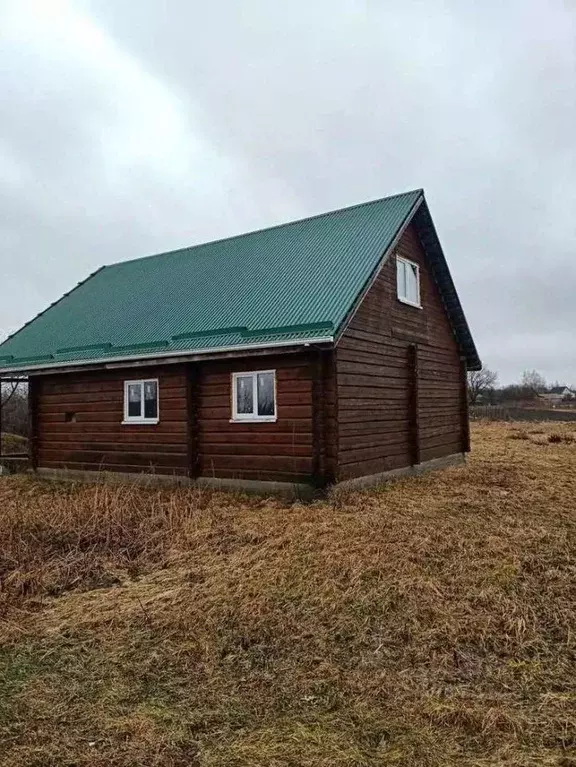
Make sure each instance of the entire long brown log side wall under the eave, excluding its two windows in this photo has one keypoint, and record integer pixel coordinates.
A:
(194, 436)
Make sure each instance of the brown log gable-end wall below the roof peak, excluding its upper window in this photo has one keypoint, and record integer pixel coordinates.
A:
(377, 425)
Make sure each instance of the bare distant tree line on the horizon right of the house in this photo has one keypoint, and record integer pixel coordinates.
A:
(483, 387)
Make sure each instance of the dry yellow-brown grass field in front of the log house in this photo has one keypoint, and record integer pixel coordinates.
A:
(429, 623)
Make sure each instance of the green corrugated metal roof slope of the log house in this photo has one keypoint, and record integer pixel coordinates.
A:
(285, 284)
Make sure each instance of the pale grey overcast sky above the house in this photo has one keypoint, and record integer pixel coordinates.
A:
(128, 128)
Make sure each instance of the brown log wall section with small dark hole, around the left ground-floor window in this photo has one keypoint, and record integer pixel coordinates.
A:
(97, 439)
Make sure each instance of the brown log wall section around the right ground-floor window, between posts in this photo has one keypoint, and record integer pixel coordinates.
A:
(281, 451)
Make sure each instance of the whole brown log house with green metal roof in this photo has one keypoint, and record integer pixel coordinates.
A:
(325, 350)
